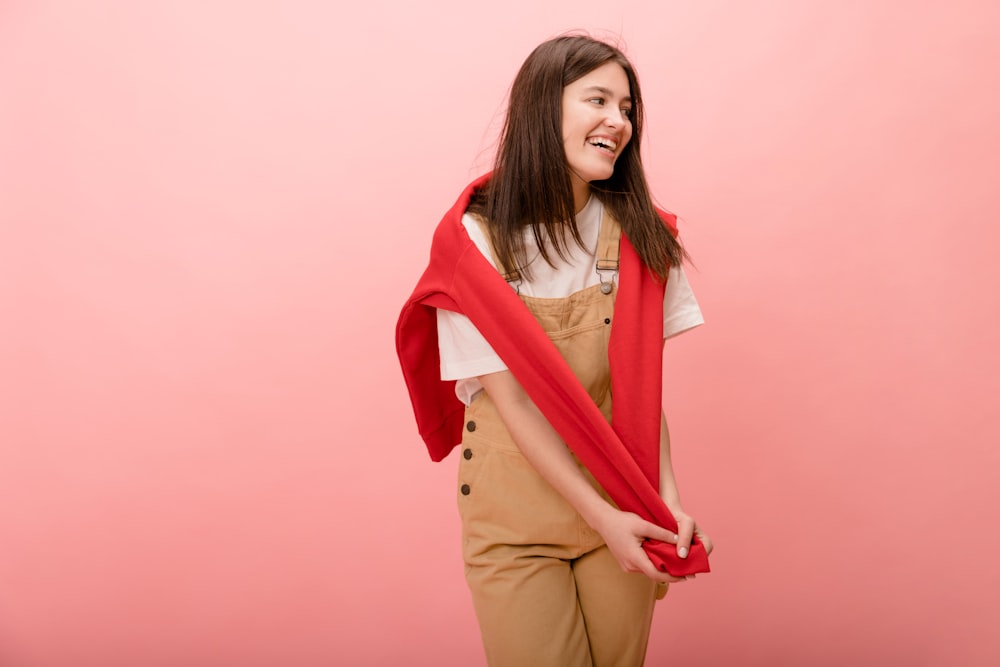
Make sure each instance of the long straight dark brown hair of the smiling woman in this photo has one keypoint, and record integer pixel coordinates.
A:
(531, 186)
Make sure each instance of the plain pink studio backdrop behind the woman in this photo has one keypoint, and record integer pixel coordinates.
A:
(210, 214)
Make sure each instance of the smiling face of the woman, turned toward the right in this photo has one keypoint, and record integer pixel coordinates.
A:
(597, 126)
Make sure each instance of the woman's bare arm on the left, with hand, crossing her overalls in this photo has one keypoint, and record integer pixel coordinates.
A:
(542, 446)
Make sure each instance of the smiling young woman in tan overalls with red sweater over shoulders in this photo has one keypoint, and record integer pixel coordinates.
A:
(552, 284)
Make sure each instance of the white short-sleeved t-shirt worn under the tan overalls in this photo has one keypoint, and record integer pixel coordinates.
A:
(465, 353)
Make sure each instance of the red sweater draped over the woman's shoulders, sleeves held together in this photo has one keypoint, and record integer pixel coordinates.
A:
(622, 456)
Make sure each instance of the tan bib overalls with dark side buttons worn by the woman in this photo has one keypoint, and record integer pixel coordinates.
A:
(546, 589)
